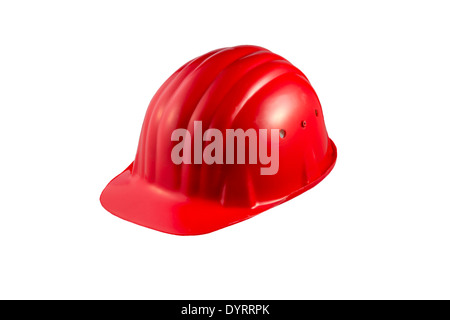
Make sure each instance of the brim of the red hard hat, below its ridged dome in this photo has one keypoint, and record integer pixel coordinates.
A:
(134, 199)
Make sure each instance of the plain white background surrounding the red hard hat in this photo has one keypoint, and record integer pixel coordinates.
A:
(75, 81)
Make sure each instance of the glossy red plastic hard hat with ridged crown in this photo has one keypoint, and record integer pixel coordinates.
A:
(243, 87)
